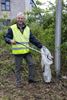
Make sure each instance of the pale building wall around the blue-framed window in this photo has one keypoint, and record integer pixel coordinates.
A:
(15, 7)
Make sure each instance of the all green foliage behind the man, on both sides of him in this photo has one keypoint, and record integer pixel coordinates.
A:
(42, 24)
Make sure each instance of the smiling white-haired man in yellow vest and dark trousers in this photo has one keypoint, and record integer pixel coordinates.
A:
(21, 33)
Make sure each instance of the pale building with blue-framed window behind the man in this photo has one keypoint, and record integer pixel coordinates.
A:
(9, 8)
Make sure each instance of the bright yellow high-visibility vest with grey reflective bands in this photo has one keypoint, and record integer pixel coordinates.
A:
(21, 38)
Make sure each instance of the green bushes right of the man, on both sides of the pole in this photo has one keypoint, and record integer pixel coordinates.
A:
(42, 23)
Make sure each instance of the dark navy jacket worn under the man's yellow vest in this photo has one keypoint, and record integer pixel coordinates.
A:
(32, 39)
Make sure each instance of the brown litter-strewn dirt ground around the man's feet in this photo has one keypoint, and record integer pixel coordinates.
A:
(56, 90)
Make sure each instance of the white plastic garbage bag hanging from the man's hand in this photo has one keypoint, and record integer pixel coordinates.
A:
(46, 61)
